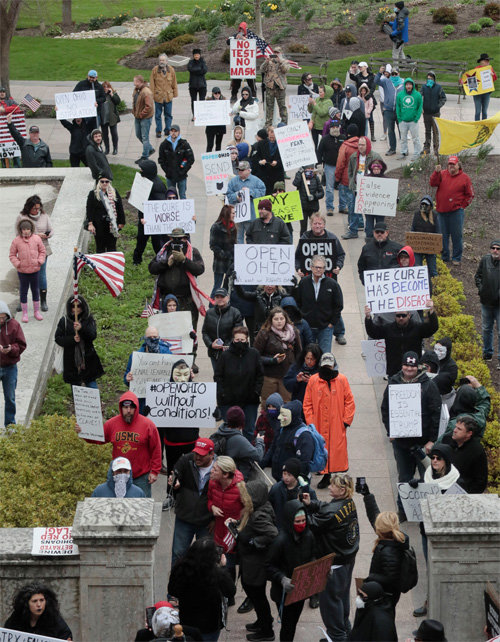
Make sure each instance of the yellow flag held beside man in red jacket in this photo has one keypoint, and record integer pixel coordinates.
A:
(454, 136)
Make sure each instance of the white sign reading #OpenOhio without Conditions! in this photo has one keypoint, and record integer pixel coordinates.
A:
(182, 405)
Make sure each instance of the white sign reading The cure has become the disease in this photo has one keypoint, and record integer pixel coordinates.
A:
(397, 289)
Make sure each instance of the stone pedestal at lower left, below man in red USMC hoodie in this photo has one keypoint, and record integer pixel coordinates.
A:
(116, 539)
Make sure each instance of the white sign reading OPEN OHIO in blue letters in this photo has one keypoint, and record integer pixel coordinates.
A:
(264, 264)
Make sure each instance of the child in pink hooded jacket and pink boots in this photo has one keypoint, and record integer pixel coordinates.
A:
(27, 254)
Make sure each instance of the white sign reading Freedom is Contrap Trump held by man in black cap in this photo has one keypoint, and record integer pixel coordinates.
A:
(405, 410)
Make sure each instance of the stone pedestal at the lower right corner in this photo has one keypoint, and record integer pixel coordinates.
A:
(464, 536)
